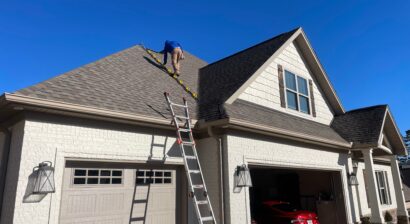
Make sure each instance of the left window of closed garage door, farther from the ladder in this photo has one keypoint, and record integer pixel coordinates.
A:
(97, 176)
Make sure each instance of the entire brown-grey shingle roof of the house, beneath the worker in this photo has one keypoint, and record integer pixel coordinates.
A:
(130, 81)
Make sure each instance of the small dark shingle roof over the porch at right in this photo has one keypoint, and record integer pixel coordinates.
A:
(362, 126)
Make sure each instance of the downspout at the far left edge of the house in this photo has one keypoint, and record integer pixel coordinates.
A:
(4, 163)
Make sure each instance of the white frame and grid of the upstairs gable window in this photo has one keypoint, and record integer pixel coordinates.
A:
(298, 94)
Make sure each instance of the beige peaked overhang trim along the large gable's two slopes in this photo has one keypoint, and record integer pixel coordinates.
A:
(314, 65)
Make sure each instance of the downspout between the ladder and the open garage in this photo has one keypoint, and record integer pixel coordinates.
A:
(221, 166)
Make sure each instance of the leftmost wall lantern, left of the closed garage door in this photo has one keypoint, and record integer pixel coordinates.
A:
(44, 180)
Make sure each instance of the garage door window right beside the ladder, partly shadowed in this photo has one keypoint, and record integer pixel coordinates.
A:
(154, 177)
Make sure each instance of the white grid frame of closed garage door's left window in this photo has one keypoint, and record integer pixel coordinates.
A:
(99, 176)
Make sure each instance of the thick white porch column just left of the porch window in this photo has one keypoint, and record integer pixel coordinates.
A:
(376, 216)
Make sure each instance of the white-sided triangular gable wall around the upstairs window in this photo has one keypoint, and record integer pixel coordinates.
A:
(265, 89)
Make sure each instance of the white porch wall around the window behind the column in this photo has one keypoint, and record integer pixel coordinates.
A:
(361, 189)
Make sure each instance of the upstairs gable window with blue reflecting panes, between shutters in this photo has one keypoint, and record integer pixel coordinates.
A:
(297, 93)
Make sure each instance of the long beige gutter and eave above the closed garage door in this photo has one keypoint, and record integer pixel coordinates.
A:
(17, 103)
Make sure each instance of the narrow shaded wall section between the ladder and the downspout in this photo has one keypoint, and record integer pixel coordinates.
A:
(208, 153)
